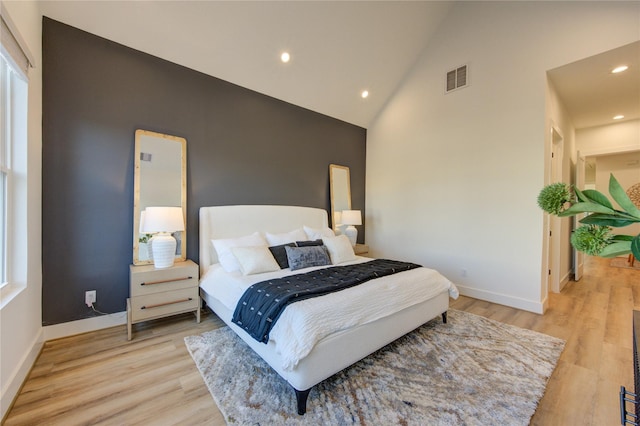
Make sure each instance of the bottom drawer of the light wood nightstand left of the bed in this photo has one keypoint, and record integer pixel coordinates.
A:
(165, 303)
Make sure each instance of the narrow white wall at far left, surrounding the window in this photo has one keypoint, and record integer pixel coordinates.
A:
(21, 317)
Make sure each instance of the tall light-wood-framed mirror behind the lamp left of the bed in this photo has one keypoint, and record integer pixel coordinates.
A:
(160, 180)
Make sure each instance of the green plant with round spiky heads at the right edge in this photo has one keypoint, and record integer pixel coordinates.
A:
(594, 236)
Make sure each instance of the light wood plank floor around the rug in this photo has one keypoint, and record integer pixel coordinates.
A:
(101, 378)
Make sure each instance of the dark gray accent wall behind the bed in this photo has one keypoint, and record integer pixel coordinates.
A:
(242, 147)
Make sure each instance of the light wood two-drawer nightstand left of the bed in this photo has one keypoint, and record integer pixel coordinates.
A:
(156, 293)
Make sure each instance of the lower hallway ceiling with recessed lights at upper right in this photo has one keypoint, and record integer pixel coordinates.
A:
(593, 95)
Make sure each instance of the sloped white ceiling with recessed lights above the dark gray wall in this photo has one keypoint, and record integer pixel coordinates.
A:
(338, 48)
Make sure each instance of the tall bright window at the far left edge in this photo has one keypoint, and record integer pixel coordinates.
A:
(13, 141)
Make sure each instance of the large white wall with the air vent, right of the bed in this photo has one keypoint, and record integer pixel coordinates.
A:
(452, 179)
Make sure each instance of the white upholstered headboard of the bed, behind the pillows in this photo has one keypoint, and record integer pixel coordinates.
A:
(236, 221)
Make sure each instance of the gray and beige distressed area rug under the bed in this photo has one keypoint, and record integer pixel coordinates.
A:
(469, 371)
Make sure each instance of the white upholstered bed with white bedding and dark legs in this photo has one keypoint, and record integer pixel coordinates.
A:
(334, 349)
